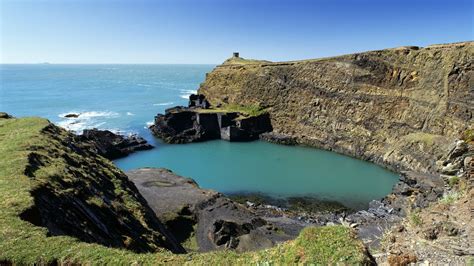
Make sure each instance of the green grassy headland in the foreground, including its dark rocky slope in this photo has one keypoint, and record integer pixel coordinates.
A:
(62, 204)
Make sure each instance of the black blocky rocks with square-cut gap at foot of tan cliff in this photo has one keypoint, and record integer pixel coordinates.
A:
(199, 123)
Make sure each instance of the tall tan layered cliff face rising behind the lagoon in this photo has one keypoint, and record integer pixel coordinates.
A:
(400, 107)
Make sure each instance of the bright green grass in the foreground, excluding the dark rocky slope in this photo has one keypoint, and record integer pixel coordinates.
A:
(24, 243)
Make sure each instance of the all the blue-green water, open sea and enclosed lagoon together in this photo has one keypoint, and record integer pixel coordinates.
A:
(125, 98)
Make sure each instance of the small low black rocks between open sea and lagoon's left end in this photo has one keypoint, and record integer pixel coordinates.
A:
(113, 146)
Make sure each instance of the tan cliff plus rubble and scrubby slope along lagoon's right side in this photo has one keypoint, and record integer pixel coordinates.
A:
(409, 109)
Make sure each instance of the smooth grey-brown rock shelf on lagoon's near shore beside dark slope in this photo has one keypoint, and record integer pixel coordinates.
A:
(205, 219)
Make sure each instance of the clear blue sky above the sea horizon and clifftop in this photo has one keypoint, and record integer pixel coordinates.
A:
(208, 31)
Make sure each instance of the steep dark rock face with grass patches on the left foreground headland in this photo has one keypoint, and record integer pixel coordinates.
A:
(88, 198)
